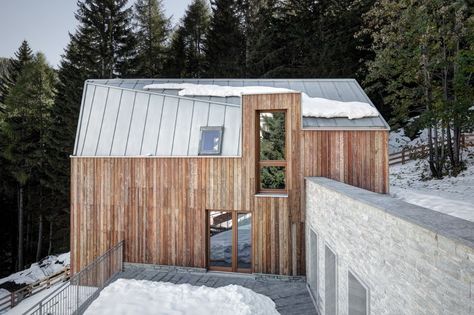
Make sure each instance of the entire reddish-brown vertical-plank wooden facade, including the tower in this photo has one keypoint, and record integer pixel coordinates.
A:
(158, 204)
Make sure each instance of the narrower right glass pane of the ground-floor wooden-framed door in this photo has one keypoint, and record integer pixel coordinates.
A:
(244, 240)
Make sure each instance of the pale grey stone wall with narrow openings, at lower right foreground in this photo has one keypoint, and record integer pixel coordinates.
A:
(411, 259)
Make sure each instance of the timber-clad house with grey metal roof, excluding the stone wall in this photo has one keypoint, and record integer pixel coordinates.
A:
(210, 173)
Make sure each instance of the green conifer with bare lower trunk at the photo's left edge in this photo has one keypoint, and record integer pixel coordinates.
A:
(25, 125)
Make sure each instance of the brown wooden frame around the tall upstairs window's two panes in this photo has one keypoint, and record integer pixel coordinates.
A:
(268, 163)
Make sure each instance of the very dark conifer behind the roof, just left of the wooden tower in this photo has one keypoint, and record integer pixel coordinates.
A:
(225, 41)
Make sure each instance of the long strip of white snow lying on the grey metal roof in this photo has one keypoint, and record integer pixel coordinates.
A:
(311, 106)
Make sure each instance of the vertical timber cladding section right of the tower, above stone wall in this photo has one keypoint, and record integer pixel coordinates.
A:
(358, 158)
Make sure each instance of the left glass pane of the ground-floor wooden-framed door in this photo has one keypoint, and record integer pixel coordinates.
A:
(220, 224)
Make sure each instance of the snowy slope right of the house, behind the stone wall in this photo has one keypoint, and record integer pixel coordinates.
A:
(450, 195)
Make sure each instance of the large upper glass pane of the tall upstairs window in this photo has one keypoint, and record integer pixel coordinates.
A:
(272, 136)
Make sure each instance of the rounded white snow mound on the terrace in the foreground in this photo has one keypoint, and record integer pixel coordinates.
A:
(147, 297)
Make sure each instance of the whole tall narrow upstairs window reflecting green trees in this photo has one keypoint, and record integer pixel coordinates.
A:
(271, 151)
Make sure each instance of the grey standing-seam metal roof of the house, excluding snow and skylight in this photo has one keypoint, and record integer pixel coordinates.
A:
(119, 118)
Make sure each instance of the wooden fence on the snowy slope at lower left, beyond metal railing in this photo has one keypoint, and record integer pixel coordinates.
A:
(9, 301)
